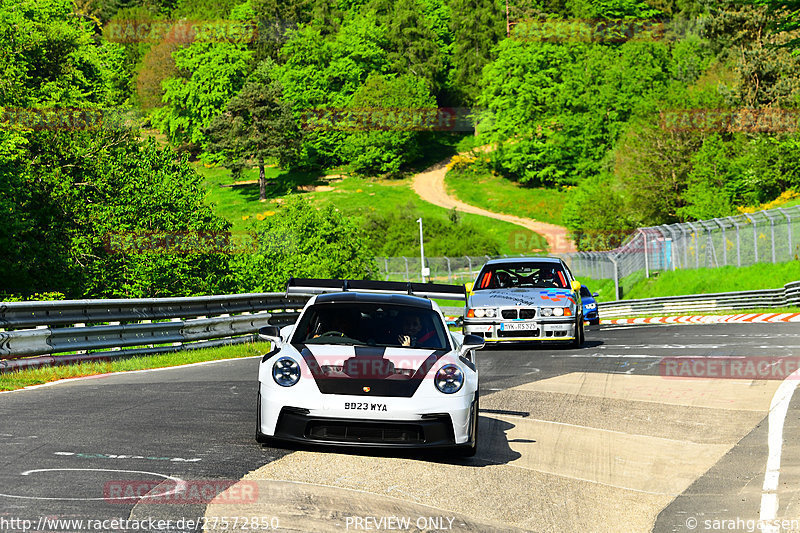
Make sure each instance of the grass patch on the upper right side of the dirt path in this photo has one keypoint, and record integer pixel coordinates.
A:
(500, 195)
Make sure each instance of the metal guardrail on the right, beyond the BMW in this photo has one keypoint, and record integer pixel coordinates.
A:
(789, 295)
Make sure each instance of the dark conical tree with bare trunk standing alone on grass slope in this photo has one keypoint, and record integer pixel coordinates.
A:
(256, 124)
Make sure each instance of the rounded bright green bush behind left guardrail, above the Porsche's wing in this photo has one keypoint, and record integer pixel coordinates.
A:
(303, 241)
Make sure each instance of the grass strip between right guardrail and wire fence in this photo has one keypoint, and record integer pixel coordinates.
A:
(699, 281)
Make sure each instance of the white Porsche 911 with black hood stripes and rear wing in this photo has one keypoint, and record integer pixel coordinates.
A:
(369, 364)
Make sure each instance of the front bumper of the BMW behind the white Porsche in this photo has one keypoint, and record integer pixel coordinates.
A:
(537, 330)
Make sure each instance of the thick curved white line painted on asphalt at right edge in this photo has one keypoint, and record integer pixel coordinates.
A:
(777, 416)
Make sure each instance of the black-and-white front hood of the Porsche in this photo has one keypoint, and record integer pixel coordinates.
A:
(368, 370)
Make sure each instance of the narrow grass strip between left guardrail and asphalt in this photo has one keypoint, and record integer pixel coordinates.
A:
(37, 376)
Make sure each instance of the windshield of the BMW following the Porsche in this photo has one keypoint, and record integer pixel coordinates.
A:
(521, 275)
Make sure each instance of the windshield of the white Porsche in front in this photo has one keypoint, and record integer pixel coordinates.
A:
(371, 324)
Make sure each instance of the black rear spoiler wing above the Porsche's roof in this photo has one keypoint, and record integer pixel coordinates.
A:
(424, 290)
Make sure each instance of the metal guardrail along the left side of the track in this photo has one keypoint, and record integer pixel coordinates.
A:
(116, 326)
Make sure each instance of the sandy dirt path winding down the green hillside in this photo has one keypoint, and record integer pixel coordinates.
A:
(429, 185)
